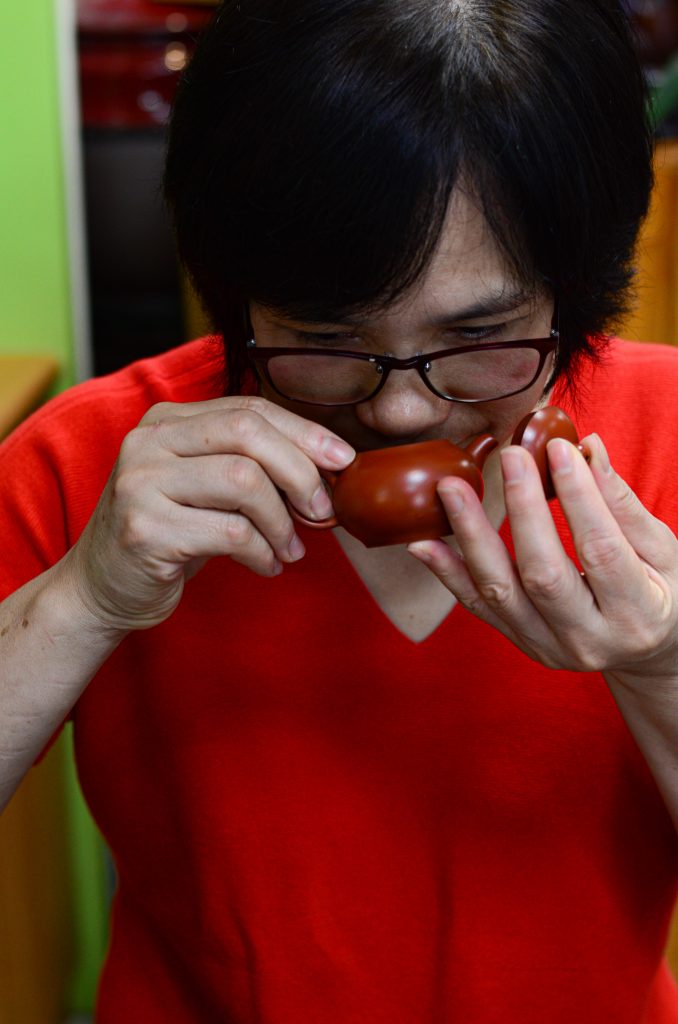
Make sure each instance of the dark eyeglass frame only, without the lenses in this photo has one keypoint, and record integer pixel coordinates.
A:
(386, 364)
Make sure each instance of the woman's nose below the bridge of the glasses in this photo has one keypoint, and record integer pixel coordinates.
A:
(404, 408)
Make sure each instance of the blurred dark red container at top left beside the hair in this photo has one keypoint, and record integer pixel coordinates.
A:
(132, 54)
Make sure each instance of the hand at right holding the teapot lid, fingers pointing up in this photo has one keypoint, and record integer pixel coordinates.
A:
(620, 618)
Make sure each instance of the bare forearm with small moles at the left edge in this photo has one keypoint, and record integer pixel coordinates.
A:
(51, 648)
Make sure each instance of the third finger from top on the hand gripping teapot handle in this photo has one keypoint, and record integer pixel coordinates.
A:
(234, 484)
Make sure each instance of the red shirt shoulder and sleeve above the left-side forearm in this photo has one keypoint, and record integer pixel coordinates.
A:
(55, 466)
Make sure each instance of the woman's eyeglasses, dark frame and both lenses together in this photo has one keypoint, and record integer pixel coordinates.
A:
(484, 372)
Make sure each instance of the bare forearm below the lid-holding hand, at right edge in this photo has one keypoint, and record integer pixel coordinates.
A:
(650, 708)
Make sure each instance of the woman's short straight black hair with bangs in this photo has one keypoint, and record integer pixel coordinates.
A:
(315, 145)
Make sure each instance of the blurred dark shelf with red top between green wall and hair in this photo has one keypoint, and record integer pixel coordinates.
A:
(131, 57)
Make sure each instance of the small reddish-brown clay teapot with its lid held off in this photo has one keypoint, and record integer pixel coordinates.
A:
(389, 496)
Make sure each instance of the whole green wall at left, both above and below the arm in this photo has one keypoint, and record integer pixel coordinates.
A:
(36, 316)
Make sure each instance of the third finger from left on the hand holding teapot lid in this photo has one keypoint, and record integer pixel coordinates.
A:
(548, 576)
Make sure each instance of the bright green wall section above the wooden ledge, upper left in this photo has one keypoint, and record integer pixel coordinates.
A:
(35, 292)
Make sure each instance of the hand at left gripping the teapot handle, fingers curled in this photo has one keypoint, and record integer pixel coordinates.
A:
(194, 482)
